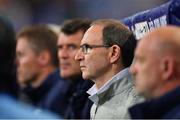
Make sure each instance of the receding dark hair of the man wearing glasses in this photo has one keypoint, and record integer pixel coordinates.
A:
(115, 33)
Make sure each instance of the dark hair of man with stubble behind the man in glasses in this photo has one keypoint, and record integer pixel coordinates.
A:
(74, 25)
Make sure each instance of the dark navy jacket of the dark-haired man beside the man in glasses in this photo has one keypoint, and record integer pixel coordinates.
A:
(72, 99)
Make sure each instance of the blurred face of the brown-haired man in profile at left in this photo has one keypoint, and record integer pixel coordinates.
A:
(27, 62)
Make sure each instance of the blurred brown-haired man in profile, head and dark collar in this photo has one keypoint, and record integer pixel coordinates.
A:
(37, 62)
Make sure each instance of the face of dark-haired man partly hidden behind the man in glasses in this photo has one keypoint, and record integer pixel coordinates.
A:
(68, 46)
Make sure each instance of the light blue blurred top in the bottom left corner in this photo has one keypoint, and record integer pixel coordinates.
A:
(12, 109)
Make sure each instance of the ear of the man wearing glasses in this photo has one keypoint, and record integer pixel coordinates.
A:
(115, 53)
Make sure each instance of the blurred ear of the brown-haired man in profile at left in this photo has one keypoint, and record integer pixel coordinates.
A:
(44, 58)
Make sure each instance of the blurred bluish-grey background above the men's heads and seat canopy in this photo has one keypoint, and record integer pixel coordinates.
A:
(23, 12)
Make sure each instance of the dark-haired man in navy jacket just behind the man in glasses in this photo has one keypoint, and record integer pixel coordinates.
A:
(73, 100)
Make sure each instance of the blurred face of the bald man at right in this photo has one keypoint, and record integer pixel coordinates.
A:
(146, 68)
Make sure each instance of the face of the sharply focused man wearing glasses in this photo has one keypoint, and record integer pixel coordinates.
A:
(95, 63)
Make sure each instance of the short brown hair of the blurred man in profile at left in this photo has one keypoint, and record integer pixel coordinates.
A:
(41, 38)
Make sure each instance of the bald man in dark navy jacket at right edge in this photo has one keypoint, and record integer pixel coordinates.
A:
(157, 74)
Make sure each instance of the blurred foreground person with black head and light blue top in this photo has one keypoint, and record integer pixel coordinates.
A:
(10, 108)
